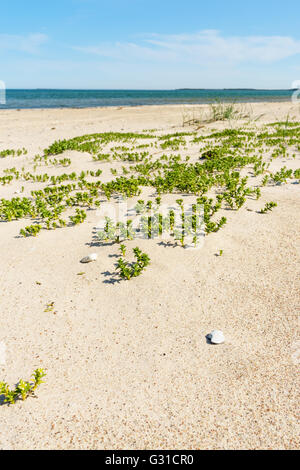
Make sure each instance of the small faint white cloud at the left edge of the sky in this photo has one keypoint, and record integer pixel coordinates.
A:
(30, 43)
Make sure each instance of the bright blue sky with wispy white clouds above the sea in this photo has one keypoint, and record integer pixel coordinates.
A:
(150, 44)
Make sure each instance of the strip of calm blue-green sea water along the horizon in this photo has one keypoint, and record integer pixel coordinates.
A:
(18, 99)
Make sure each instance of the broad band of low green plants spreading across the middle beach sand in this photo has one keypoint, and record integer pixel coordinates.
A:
(228, 159)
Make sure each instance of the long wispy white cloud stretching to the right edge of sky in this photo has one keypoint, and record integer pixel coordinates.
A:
(204, 47)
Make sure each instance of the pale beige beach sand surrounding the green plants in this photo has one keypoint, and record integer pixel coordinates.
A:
(128, 364)
